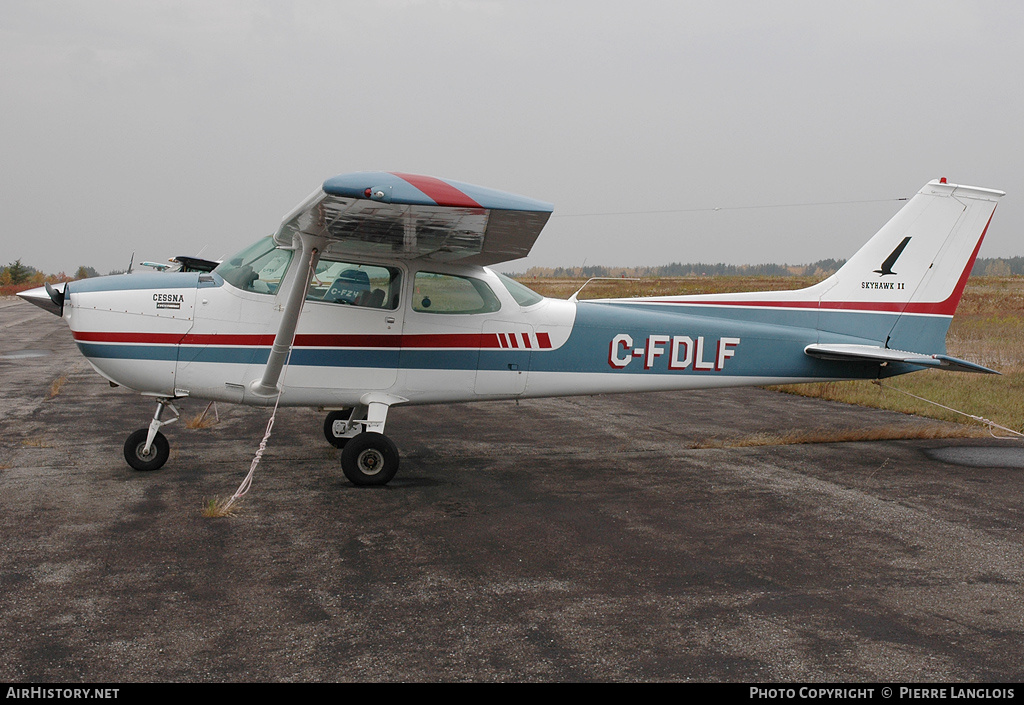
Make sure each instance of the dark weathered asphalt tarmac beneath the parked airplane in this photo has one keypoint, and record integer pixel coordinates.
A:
(578, 540)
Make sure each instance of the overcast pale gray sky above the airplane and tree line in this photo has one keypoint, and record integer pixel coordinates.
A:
(183, 128)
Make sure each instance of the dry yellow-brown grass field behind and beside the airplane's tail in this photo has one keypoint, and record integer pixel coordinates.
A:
(989, 329)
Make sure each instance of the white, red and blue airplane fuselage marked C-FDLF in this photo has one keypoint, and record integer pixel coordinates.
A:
(425, 341)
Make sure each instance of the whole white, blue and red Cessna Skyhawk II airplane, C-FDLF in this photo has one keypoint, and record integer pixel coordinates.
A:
(375, 293)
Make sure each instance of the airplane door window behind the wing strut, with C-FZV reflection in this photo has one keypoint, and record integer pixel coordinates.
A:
(369, 286)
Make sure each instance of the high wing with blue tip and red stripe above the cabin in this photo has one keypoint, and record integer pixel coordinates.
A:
(411, 217)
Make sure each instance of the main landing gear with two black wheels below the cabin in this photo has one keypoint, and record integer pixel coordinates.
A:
(368, 459)
